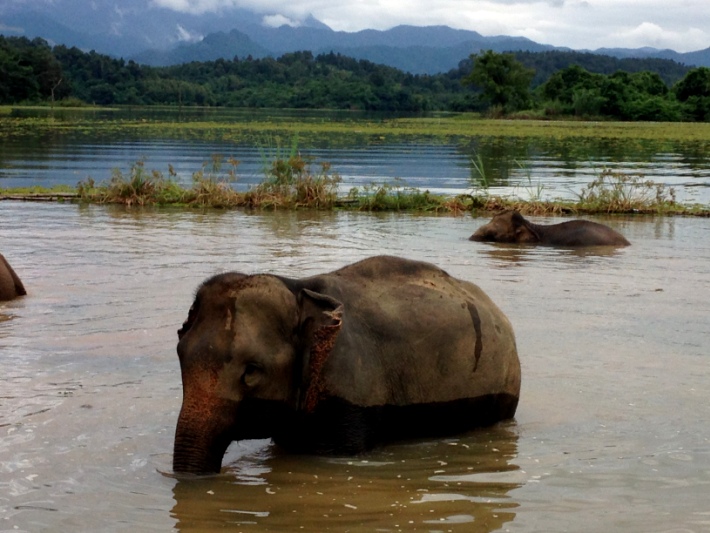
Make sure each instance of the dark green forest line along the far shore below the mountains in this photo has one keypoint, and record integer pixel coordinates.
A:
(545, 84)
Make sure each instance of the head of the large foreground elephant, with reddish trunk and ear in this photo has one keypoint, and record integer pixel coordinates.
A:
(250, 352)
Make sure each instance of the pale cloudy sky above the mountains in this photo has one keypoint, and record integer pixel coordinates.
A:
(681, 25)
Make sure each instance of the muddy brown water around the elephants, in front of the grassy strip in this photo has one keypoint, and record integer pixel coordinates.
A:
(612, 432)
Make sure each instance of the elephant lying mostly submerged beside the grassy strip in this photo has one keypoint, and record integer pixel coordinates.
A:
(511, 227)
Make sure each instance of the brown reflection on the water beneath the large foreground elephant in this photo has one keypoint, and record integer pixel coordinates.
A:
(460, 484)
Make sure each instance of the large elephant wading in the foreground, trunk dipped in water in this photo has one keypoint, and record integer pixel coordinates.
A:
(383, 349)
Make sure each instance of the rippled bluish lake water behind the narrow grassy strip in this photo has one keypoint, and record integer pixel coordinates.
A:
(528, 168)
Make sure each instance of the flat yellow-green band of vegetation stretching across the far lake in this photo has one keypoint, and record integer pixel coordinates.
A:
(444, 126)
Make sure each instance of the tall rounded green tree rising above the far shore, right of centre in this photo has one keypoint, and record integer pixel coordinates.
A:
(504, 80)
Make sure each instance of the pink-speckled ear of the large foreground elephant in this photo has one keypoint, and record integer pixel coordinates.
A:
(320, 321)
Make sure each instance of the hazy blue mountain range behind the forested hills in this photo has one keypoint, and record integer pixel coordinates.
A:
(151, 35)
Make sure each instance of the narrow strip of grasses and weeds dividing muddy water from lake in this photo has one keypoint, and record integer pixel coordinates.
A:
(293, 183)
